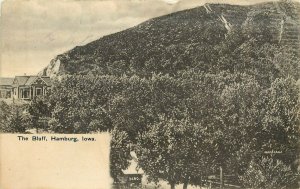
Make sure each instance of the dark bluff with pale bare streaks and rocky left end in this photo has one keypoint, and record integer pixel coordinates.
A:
(198, 38)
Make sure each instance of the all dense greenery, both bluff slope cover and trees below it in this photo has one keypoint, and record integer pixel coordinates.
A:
(191, 96)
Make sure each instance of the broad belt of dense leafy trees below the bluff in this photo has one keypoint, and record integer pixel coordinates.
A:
(220, 119)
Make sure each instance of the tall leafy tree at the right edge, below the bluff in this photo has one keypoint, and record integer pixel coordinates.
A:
(280, 108)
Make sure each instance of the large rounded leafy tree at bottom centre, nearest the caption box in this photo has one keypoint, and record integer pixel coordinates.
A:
(173, 150)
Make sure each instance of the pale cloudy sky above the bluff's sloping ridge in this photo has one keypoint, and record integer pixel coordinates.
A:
(32, 32)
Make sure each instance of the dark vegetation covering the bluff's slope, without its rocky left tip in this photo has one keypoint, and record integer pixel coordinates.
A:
(194, 39)
